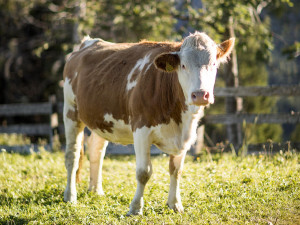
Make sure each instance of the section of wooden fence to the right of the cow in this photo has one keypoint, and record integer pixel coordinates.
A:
(240, 118)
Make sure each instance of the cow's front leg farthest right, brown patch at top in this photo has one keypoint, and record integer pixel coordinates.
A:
(175, 169)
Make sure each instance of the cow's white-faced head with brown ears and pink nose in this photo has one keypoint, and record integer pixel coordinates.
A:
(196, 64)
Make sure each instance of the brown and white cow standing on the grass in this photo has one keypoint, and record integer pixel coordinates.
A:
(142, 93)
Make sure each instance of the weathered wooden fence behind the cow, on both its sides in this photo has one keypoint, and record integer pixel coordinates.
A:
(53, 111)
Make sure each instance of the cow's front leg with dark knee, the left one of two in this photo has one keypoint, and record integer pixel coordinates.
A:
(143, 169)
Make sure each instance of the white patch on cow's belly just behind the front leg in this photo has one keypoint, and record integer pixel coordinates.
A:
(121, 132)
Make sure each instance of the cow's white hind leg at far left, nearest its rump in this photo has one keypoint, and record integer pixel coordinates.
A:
(74, 143)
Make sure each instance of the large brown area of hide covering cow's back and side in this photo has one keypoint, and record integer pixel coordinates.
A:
(100, 85)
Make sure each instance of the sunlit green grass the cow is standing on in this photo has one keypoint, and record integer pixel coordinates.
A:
(215, 190)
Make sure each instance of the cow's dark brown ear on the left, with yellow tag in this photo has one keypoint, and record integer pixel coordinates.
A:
(167, 62)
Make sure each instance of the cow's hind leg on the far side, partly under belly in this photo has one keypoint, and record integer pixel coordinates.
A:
(96, 146)
